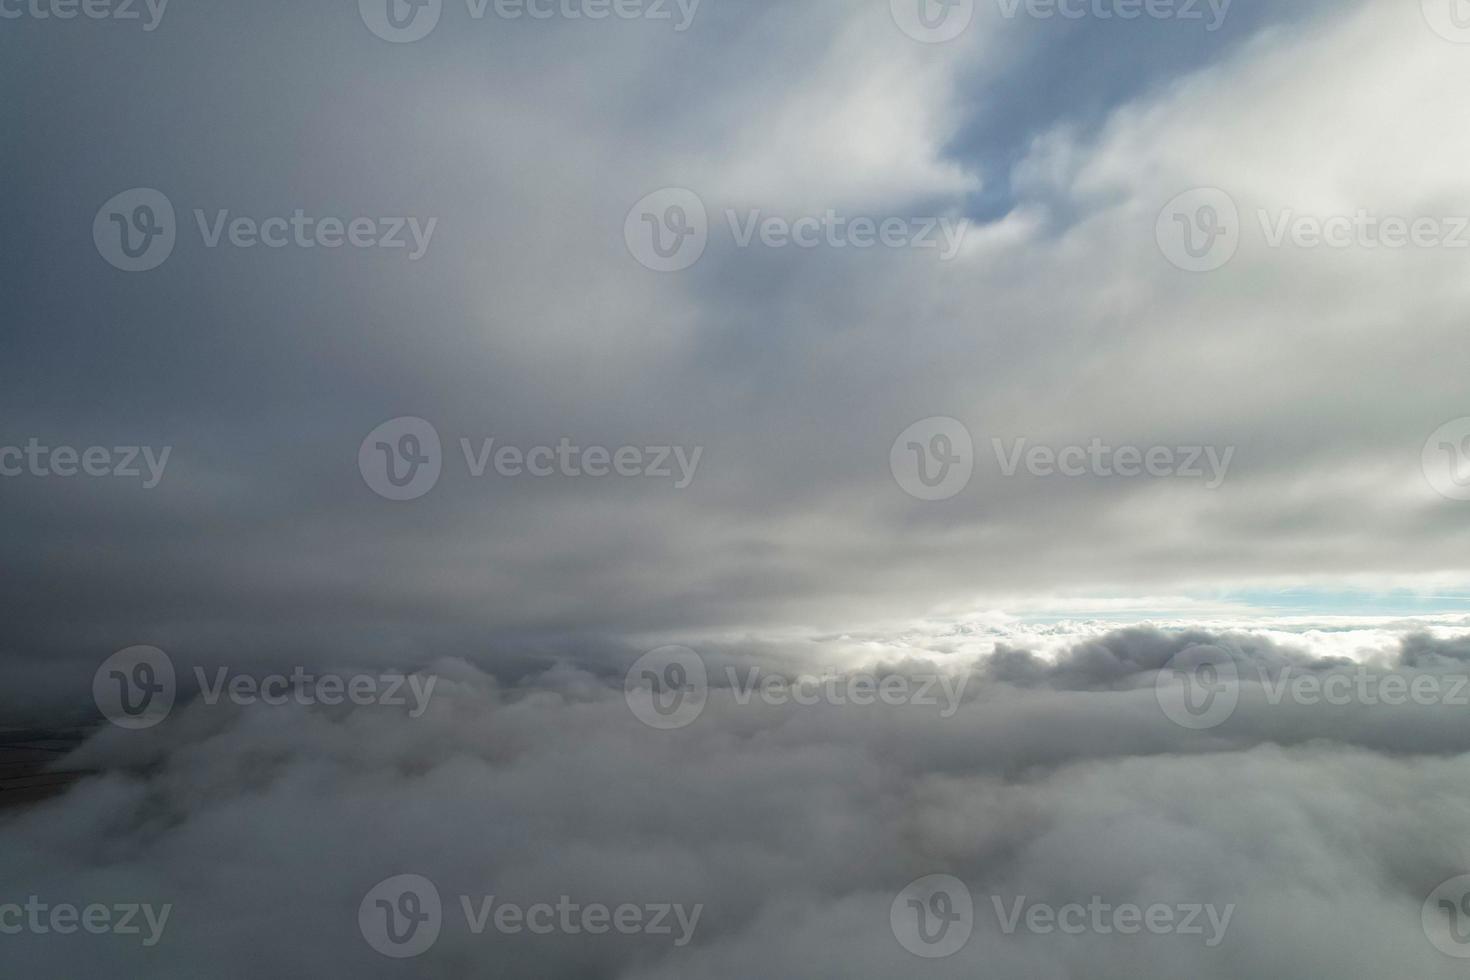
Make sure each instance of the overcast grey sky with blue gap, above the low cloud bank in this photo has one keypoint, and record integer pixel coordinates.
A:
(527, 320)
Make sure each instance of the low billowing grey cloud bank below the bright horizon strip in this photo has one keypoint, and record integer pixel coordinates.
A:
(1322, 828)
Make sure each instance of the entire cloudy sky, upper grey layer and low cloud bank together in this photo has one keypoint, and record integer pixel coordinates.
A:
(831, 336)
